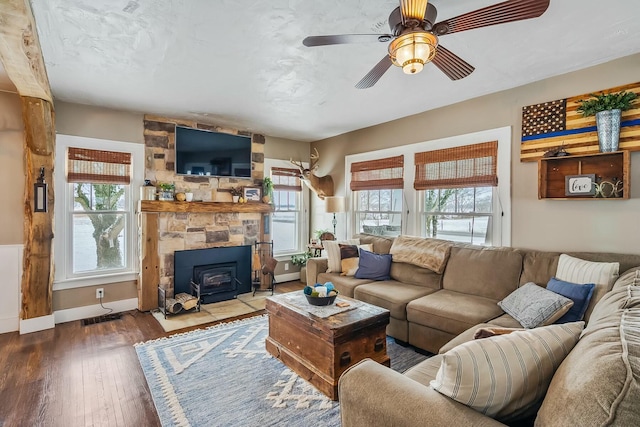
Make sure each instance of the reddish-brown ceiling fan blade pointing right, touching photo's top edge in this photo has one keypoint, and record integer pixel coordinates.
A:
(508, 11)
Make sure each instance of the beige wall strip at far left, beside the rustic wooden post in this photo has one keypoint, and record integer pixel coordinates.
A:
(11, 169)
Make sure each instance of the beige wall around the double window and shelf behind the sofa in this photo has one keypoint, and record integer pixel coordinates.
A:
(603, 225)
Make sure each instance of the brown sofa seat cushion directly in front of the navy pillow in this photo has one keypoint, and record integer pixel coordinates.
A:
(391, 295)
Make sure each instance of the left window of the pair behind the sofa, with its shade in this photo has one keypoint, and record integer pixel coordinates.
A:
(377, 188)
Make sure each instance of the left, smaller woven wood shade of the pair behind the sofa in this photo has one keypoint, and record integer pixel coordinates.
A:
(378, 174)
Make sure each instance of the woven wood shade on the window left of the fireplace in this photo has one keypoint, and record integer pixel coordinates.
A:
(97, 166)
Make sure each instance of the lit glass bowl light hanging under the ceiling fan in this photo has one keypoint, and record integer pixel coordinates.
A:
(412, 50)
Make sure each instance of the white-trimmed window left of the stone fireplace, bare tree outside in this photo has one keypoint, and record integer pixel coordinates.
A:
(95, 211)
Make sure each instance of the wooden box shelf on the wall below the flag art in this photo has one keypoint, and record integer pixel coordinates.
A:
(611, 167)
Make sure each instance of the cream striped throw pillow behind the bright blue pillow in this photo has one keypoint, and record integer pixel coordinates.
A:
(576, 270)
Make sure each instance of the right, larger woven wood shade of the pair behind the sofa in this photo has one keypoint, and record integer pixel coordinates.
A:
(465, 166)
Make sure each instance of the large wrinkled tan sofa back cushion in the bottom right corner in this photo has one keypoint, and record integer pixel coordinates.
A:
(598, 382)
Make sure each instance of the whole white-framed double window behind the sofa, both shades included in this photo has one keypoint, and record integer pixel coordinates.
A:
(457, 197)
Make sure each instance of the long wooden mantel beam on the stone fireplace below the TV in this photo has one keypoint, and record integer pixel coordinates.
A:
(203, 207)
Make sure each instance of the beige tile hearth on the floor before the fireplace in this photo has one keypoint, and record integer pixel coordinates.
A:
(243, 304)
